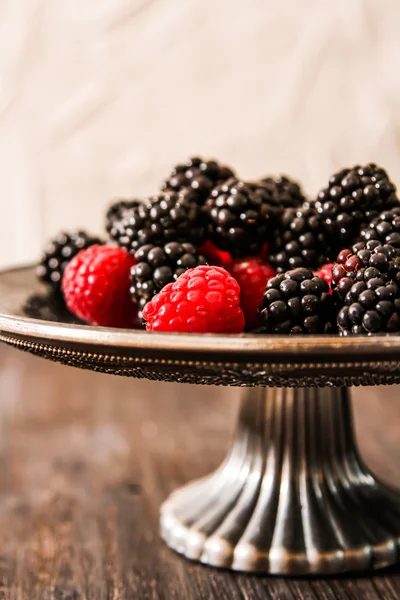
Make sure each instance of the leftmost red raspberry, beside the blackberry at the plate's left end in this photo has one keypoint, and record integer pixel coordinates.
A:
(96, 287)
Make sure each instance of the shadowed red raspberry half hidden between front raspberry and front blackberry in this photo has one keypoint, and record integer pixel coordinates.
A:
(252, 275)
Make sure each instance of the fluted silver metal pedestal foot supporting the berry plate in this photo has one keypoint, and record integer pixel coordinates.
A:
(292, 497)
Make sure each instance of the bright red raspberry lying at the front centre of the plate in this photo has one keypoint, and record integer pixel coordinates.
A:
(202, 300)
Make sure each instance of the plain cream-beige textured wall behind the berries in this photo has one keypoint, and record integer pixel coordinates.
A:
(98, 98)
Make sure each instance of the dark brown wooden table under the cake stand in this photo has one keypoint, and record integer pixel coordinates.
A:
(86, 459)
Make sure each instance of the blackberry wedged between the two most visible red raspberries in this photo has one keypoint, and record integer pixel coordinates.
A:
(159, 265)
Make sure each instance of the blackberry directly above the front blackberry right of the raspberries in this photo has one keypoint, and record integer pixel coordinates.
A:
(300, 240)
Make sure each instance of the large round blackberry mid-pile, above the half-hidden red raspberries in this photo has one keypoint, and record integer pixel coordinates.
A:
(242, 217)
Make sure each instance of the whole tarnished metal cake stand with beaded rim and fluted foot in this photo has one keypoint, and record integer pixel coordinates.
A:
(293, 495)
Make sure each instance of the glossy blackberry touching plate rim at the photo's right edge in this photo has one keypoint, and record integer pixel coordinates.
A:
(372, 305)
